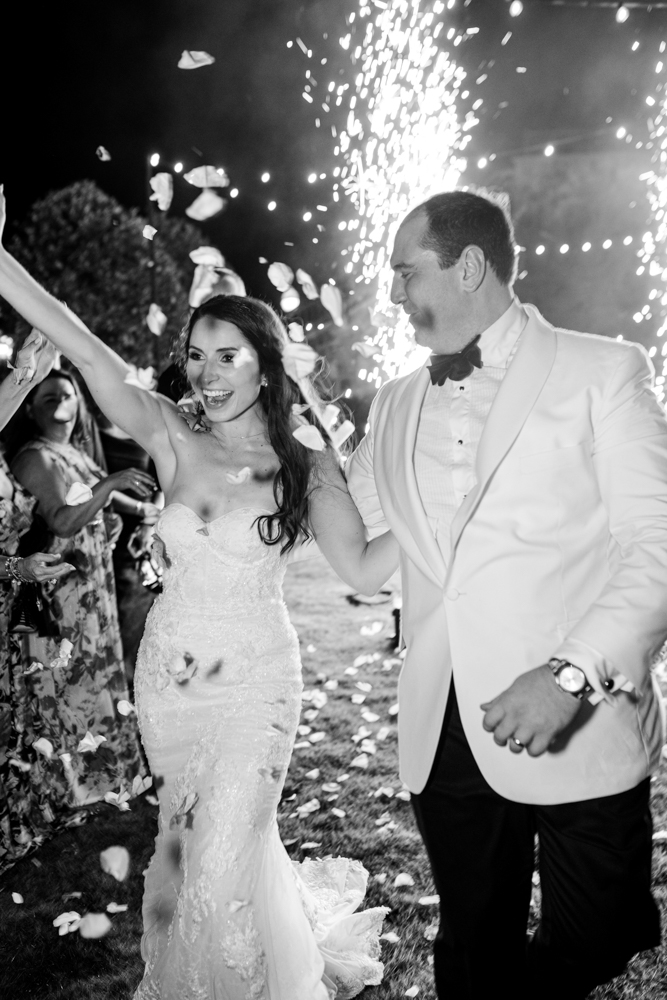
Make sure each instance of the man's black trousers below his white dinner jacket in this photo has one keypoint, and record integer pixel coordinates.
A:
(595, 874)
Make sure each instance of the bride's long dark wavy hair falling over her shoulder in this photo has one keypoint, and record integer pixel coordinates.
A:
(266, 333)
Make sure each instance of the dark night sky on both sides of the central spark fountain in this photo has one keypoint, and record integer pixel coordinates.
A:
(78, 75)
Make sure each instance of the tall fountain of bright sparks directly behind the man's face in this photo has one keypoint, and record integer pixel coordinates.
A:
(402, 141)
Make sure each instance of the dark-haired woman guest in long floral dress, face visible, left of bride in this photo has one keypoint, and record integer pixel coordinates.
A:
(78, 694)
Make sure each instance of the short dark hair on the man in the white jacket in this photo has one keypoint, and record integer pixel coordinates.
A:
(457, 219)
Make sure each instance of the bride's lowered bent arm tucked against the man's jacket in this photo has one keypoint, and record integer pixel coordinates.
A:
(340, 534)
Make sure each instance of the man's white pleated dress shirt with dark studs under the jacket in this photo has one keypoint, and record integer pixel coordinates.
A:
(451, 423)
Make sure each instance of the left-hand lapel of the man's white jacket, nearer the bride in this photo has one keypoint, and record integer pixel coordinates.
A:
(396, 480)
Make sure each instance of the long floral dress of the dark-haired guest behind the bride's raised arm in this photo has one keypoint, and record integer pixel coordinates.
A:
(67, 697)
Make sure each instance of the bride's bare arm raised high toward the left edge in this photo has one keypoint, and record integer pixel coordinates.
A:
(137, 412)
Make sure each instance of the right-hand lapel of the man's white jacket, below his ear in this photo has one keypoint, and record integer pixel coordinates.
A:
(516, 397)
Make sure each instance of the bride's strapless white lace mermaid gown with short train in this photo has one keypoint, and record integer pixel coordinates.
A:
(227, 915)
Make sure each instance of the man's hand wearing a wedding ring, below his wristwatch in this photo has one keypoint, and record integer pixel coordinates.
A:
(530, 713)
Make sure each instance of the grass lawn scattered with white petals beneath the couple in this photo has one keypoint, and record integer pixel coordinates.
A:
(377, 827)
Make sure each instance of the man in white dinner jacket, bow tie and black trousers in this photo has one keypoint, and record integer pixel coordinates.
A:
(524, 474)
